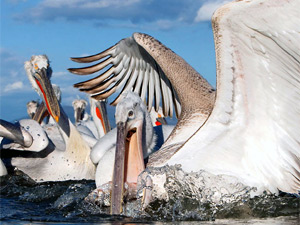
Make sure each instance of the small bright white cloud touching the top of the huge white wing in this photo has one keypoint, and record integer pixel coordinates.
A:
(206, 11)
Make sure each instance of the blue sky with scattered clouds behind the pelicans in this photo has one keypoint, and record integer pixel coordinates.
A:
(71, 28)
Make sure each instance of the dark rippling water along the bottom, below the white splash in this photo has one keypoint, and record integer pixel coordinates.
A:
(23, 201)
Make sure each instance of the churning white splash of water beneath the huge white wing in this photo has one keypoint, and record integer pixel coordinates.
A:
(204, 196)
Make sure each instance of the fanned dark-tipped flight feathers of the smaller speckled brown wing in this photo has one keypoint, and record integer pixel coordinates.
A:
(128, 67)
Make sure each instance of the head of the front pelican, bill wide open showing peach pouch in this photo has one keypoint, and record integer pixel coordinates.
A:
(135, 140)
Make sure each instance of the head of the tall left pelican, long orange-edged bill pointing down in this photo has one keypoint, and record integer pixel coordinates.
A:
(39, 73)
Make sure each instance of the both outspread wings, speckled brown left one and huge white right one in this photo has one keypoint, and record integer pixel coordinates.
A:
(250, 127)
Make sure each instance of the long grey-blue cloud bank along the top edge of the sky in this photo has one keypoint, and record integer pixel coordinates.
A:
(163, 14)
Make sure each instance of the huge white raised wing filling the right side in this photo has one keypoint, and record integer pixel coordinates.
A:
(254, 128)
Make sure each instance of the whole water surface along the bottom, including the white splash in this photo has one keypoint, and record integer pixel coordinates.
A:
(181, 197)
